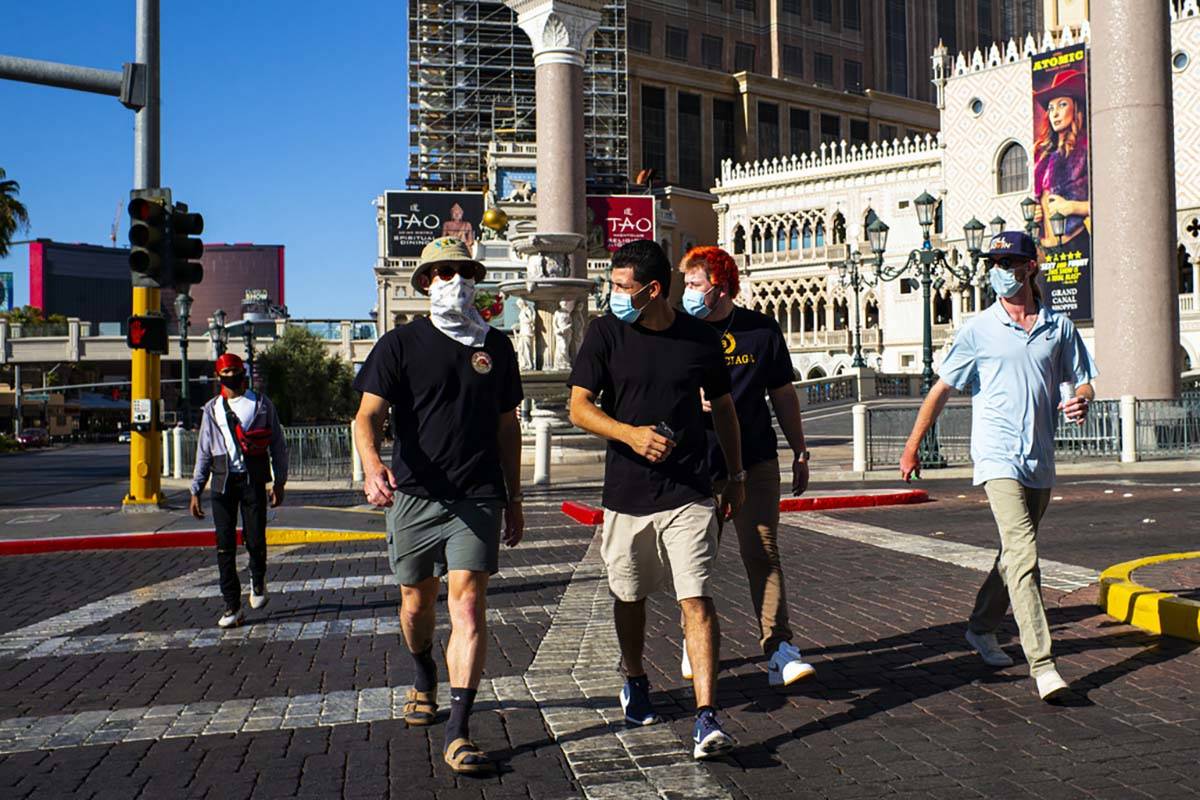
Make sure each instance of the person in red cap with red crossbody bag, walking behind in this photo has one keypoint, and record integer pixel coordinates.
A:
(241, 446)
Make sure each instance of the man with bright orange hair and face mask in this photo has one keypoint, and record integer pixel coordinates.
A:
(757, 356)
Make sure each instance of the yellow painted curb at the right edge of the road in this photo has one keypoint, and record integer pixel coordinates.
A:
(1150, 610)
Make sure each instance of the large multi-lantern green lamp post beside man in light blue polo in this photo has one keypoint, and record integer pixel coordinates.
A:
(929, 262)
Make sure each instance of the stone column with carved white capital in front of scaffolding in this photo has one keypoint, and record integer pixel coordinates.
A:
(561, 33)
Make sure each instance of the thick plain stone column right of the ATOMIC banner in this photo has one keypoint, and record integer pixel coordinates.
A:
(1133, 189)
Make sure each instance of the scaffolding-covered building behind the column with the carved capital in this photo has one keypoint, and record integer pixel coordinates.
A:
(472, 81)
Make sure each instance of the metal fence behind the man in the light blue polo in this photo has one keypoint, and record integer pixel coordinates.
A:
(1100, 437)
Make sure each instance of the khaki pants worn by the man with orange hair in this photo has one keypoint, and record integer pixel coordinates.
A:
(758, 527)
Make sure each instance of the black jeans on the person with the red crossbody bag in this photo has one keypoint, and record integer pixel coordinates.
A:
(253, 501)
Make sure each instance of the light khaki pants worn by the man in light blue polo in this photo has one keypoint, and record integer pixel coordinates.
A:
(1016, 578)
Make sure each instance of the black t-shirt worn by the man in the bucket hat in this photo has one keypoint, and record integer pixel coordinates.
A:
(447, 400)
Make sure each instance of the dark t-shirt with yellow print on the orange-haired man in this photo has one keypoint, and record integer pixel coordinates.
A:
(758, 359)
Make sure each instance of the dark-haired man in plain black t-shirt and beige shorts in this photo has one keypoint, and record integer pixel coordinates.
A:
(649, 365)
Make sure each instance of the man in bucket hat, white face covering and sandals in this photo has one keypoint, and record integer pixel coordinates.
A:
(453, 492)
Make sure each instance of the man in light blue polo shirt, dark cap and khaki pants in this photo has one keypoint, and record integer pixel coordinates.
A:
(1012, 359)
